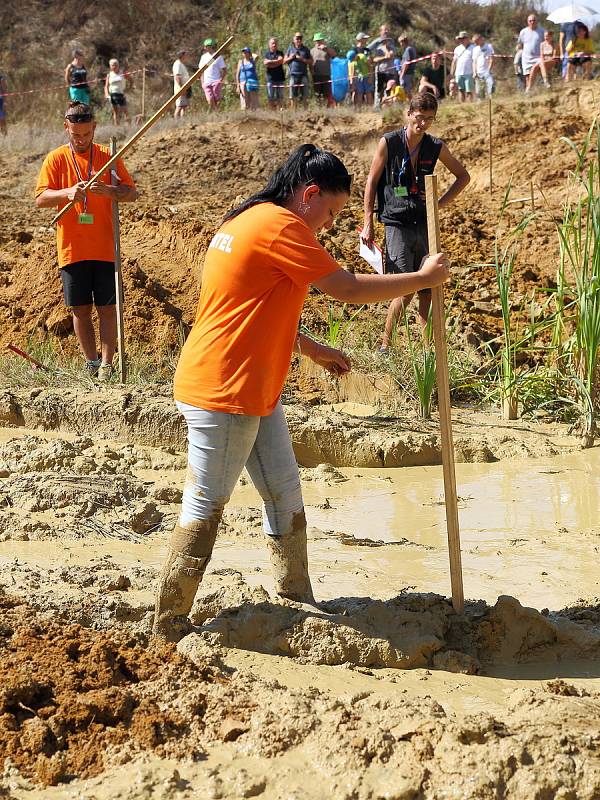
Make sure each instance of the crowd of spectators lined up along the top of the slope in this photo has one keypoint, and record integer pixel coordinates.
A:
(382, 70)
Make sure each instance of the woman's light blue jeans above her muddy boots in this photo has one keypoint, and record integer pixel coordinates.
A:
(220, 446)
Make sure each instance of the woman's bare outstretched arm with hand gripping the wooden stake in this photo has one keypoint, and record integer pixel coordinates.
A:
(350, 288)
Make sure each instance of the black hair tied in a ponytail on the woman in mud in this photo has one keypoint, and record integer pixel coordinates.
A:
(307, 164)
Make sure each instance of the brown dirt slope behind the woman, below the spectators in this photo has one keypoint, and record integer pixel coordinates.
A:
(189, 175)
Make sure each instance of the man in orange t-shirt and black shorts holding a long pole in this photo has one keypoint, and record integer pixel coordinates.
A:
(85, 233)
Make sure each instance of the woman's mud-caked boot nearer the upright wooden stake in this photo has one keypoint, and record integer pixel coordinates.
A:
(289, 559)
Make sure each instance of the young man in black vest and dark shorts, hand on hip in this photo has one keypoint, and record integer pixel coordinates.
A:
(397, 180)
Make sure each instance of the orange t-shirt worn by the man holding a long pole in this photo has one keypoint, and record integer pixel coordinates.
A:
(77, 242)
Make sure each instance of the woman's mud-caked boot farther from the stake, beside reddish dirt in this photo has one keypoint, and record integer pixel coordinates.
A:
(189, 553)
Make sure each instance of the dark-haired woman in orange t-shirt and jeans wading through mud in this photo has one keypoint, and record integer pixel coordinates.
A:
(233, 365)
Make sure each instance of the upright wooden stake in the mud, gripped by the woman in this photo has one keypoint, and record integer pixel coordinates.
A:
(443, 385)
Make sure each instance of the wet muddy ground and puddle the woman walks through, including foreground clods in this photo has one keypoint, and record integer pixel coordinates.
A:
(379, 691)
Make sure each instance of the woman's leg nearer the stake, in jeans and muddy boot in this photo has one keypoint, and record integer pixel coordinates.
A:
(273, 469)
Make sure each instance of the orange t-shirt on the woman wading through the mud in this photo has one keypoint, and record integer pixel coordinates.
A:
(256, 275)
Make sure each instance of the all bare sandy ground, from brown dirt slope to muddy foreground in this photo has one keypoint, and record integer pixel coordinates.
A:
(380, 691)
